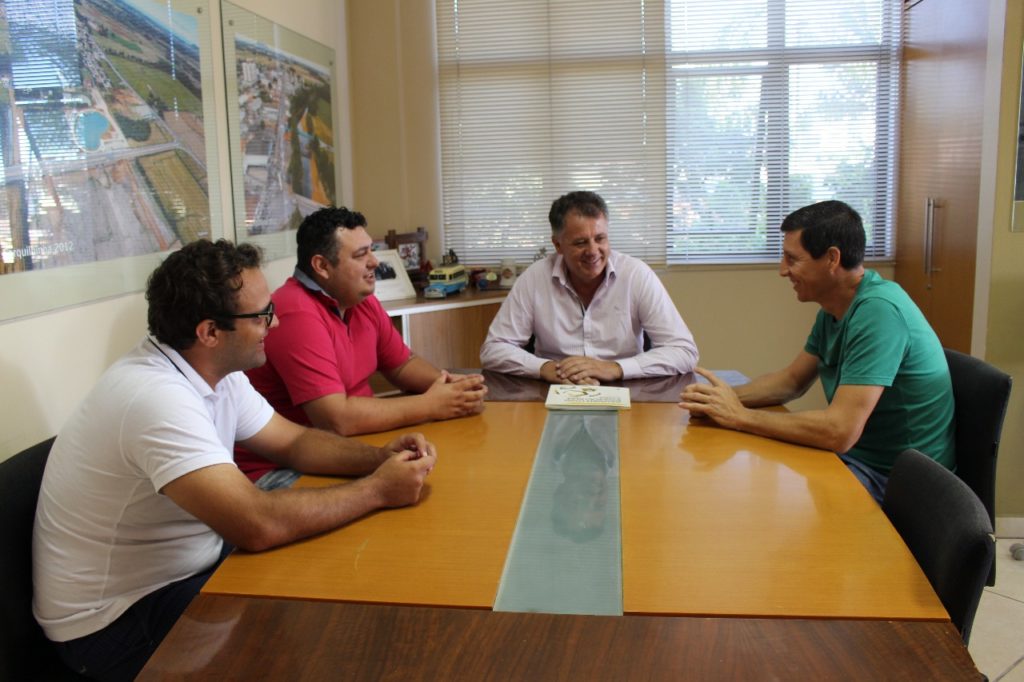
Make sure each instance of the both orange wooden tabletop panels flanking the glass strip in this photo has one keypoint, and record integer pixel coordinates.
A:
(713, 523)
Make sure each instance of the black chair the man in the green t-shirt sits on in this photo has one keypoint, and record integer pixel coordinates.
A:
(982, 394)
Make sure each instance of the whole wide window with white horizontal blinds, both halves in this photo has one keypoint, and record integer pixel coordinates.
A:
(702, 123)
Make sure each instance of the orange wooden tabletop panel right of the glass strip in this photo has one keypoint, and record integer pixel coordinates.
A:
(717, 523)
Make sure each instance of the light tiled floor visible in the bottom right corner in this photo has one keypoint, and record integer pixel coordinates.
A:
(998, 638)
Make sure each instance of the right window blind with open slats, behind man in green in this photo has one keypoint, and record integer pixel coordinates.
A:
(775, 105)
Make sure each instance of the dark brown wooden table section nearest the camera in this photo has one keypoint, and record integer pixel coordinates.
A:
(239, 638)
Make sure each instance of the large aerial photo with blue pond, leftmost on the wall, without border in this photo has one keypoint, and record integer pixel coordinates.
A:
(102, 133)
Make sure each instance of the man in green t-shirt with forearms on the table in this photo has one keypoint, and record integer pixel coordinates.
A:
(883, 369)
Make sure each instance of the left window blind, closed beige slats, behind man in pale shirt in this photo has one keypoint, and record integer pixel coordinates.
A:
(540, 98)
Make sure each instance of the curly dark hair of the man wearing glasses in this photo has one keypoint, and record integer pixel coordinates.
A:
(199, 282)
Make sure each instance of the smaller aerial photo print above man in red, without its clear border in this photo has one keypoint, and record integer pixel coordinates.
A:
(286, 134)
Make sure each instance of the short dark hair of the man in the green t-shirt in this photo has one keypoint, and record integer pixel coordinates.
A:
(828, 225)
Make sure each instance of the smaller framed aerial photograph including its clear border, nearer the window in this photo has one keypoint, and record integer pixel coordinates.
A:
(281, 127)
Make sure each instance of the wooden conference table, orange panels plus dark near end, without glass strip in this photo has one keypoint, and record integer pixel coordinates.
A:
(785, 566)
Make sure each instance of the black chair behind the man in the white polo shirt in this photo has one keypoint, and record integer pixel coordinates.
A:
(25, 652)
